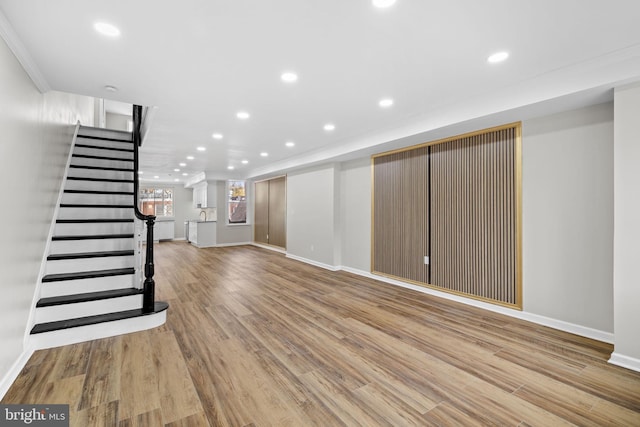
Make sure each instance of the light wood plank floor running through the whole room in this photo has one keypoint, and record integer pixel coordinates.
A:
(255, 339)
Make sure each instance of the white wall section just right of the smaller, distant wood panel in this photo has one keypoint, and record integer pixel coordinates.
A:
(311, 215)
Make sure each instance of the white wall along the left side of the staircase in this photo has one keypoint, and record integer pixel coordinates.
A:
(37, 131)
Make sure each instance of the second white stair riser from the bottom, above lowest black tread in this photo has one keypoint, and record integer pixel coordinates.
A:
(90, 308)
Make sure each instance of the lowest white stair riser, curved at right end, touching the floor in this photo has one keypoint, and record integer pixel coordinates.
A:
(97, 331)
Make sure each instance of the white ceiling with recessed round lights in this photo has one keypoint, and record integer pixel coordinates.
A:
(200, 62)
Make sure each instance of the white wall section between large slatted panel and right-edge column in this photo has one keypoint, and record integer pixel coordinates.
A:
(568, 217)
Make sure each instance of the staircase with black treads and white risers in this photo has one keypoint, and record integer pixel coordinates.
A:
(91, 287)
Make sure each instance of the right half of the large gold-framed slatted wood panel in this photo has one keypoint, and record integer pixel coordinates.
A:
(474, 217)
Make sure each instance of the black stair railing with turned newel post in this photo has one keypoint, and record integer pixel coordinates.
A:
(148, 297)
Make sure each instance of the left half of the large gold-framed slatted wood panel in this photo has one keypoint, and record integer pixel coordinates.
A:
(401, 220)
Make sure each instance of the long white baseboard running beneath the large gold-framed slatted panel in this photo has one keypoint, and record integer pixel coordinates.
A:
(530, 317)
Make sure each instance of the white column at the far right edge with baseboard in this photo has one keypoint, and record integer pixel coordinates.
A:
(626, 245)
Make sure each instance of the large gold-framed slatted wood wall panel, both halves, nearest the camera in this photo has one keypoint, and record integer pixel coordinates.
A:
(457, 201)
